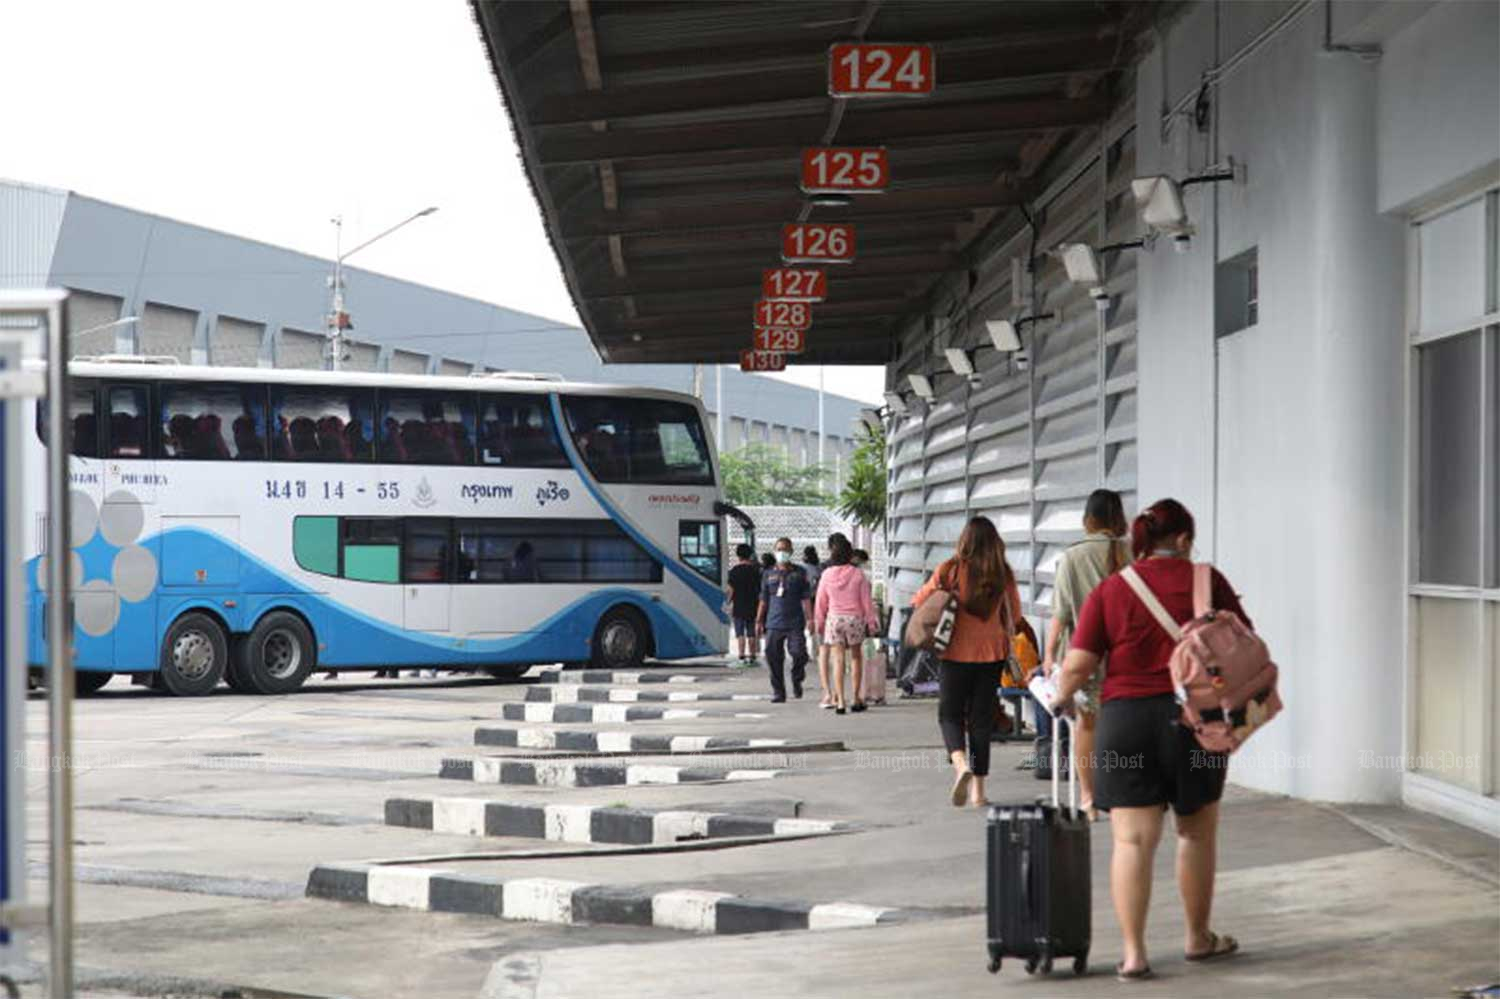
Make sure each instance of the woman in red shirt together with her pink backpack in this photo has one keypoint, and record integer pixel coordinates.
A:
(1156, 752)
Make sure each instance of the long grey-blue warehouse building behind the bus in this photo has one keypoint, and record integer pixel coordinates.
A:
(211, 298)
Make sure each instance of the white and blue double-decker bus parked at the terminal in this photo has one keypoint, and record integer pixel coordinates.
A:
(253, 526)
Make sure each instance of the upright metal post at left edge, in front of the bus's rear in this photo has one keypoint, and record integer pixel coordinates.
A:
(59, 656)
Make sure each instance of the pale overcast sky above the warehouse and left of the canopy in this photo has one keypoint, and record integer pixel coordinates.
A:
(271, 118)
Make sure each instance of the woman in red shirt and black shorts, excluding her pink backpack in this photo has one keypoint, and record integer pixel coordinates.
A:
(1147, 760)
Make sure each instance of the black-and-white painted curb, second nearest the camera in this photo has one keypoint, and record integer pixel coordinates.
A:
(590, 824)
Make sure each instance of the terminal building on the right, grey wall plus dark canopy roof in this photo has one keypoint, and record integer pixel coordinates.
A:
(1307, 353)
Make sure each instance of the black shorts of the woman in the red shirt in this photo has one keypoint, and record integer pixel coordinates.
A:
(1144, 757)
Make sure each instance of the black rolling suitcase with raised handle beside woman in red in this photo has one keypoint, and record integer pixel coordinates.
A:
(1039, 887)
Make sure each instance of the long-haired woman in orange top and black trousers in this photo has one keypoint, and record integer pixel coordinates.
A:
(970, 673)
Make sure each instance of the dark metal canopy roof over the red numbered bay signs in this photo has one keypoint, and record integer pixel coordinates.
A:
(664, 142)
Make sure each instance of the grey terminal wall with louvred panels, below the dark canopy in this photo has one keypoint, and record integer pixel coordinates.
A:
(1318, 380)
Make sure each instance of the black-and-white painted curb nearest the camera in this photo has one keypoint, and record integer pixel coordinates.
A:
(572, 902)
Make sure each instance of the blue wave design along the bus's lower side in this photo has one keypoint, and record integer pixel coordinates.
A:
(347, 637)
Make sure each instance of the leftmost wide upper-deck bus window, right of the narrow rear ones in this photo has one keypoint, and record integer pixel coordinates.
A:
(208, 422)
